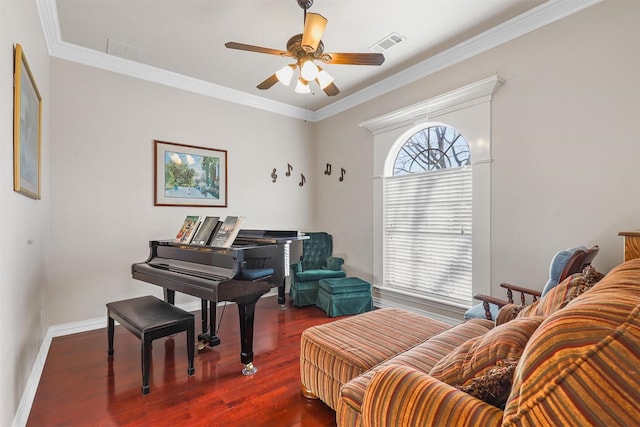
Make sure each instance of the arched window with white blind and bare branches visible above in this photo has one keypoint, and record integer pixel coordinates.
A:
(428, 216)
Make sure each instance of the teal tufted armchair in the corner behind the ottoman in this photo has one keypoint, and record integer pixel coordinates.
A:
(316, 263)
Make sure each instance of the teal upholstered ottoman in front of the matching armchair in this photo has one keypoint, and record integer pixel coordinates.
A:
(342, 296)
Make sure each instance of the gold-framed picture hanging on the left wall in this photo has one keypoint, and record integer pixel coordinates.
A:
(27, 128)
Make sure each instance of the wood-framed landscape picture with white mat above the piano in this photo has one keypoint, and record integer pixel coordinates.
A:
(188, 175)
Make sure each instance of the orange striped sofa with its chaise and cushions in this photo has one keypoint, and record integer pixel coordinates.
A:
(574, 355)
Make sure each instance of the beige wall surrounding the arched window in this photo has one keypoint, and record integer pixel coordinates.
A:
(565, 129)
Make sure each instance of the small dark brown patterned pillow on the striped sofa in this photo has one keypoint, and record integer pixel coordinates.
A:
(494, 386)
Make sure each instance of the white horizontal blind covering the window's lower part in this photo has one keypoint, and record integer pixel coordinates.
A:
(428, 236)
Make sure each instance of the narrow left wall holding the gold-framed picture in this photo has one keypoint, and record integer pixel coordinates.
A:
(23, 221)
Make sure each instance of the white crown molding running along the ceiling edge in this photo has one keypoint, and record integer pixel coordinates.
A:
(545, 14)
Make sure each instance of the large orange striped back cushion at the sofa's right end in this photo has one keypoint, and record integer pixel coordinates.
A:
(582, 366)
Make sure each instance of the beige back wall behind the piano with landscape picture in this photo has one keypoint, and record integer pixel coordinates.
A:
(102, 212)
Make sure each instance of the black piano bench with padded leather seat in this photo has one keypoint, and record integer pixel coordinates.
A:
(149, 318)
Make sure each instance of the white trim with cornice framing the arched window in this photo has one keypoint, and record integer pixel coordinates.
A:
(468, 109)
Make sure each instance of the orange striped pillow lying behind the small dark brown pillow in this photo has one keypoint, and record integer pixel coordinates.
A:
(479, 354)
